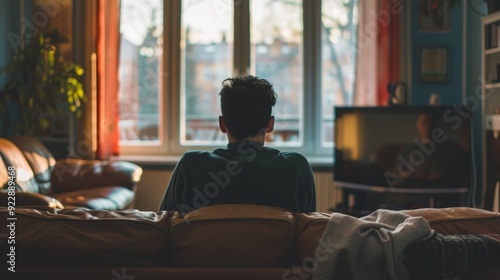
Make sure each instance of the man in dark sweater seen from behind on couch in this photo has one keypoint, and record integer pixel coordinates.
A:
(245, 172)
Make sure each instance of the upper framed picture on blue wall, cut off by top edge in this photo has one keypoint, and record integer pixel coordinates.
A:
(434, 15)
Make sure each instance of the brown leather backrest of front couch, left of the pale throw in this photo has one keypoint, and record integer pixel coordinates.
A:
(225, 236)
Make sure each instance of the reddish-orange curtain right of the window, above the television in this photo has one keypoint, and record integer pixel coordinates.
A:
(378, 51)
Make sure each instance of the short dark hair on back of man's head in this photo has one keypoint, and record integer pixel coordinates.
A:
(246, 103)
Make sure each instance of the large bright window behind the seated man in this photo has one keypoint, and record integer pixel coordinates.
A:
(169, 99)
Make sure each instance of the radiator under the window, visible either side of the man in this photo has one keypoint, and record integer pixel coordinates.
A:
(152, 186)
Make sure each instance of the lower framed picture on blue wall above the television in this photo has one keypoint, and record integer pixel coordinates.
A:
(433, 63)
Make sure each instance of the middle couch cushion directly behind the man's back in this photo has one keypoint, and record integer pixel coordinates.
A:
(236, 235)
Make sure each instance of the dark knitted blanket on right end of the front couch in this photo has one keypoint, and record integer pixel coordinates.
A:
(442, 257)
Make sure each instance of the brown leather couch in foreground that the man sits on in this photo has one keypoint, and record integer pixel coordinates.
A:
(216, 242)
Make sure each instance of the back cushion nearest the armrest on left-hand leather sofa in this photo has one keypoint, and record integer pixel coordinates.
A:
(39, 158)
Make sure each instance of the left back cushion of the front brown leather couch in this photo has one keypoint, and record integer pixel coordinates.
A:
(75, 237)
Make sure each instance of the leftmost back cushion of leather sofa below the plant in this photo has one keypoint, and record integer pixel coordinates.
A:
(12, 156)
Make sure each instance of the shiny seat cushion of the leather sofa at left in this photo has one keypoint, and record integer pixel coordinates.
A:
(100, 198)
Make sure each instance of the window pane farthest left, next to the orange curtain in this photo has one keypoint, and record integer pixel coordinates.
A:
(141, 27)
